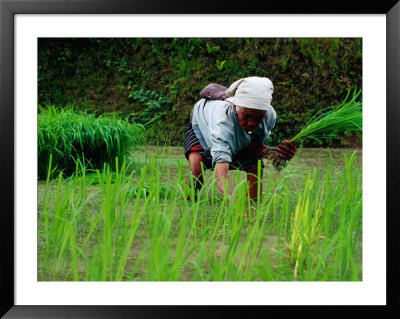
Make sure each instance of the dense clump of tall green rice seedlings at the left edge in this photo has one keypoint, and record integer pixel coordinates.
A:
(71, 136)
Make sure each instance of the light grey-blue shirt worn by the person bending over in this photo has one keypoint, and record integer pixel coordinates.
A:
(218, 130)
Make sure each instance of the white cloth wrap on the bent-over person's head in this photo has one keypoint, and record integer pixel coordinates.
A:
(253, 92)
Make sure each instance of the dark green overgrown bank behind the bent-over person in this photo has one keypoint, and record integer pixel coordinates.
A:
(309, 74)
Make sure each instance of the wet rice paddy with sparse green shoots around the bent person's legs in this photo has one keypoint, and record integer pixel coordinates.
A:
(141, 222)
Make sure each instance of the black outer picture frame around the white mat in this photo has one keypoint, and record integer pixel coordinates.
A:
(9, 8)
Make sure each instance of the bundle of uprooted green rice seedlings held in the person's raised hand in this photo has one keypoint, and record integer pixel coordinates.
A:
(327, 124)
